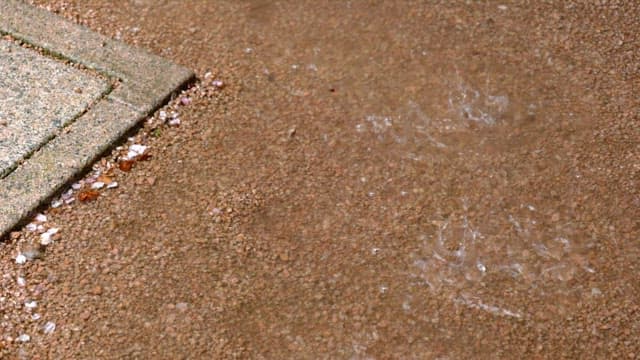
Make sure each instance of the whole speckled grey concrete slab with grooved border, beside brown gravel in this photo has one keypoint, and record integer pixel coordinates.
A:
(42, 93)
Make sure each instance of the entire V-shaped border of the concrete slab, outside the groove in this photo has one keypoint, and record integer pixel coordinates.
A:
(147, 82)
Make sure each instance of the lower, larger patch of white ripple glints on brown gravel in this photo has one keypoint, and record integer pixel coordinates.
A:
(520, 251)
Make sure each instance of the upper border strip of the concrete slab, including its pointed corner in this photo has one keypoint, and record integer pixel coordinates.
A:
(148, 79)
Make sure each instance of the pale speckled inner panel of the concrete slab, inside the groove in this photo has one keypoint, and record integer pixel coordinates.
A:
(38, 96)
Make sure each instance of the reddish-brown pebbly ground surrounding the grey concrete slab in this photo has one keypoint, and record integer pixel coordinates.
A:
(390, 180)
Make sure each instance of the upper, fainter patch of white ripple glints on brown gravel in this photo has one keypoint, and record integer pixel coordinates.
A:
(459, 119)
